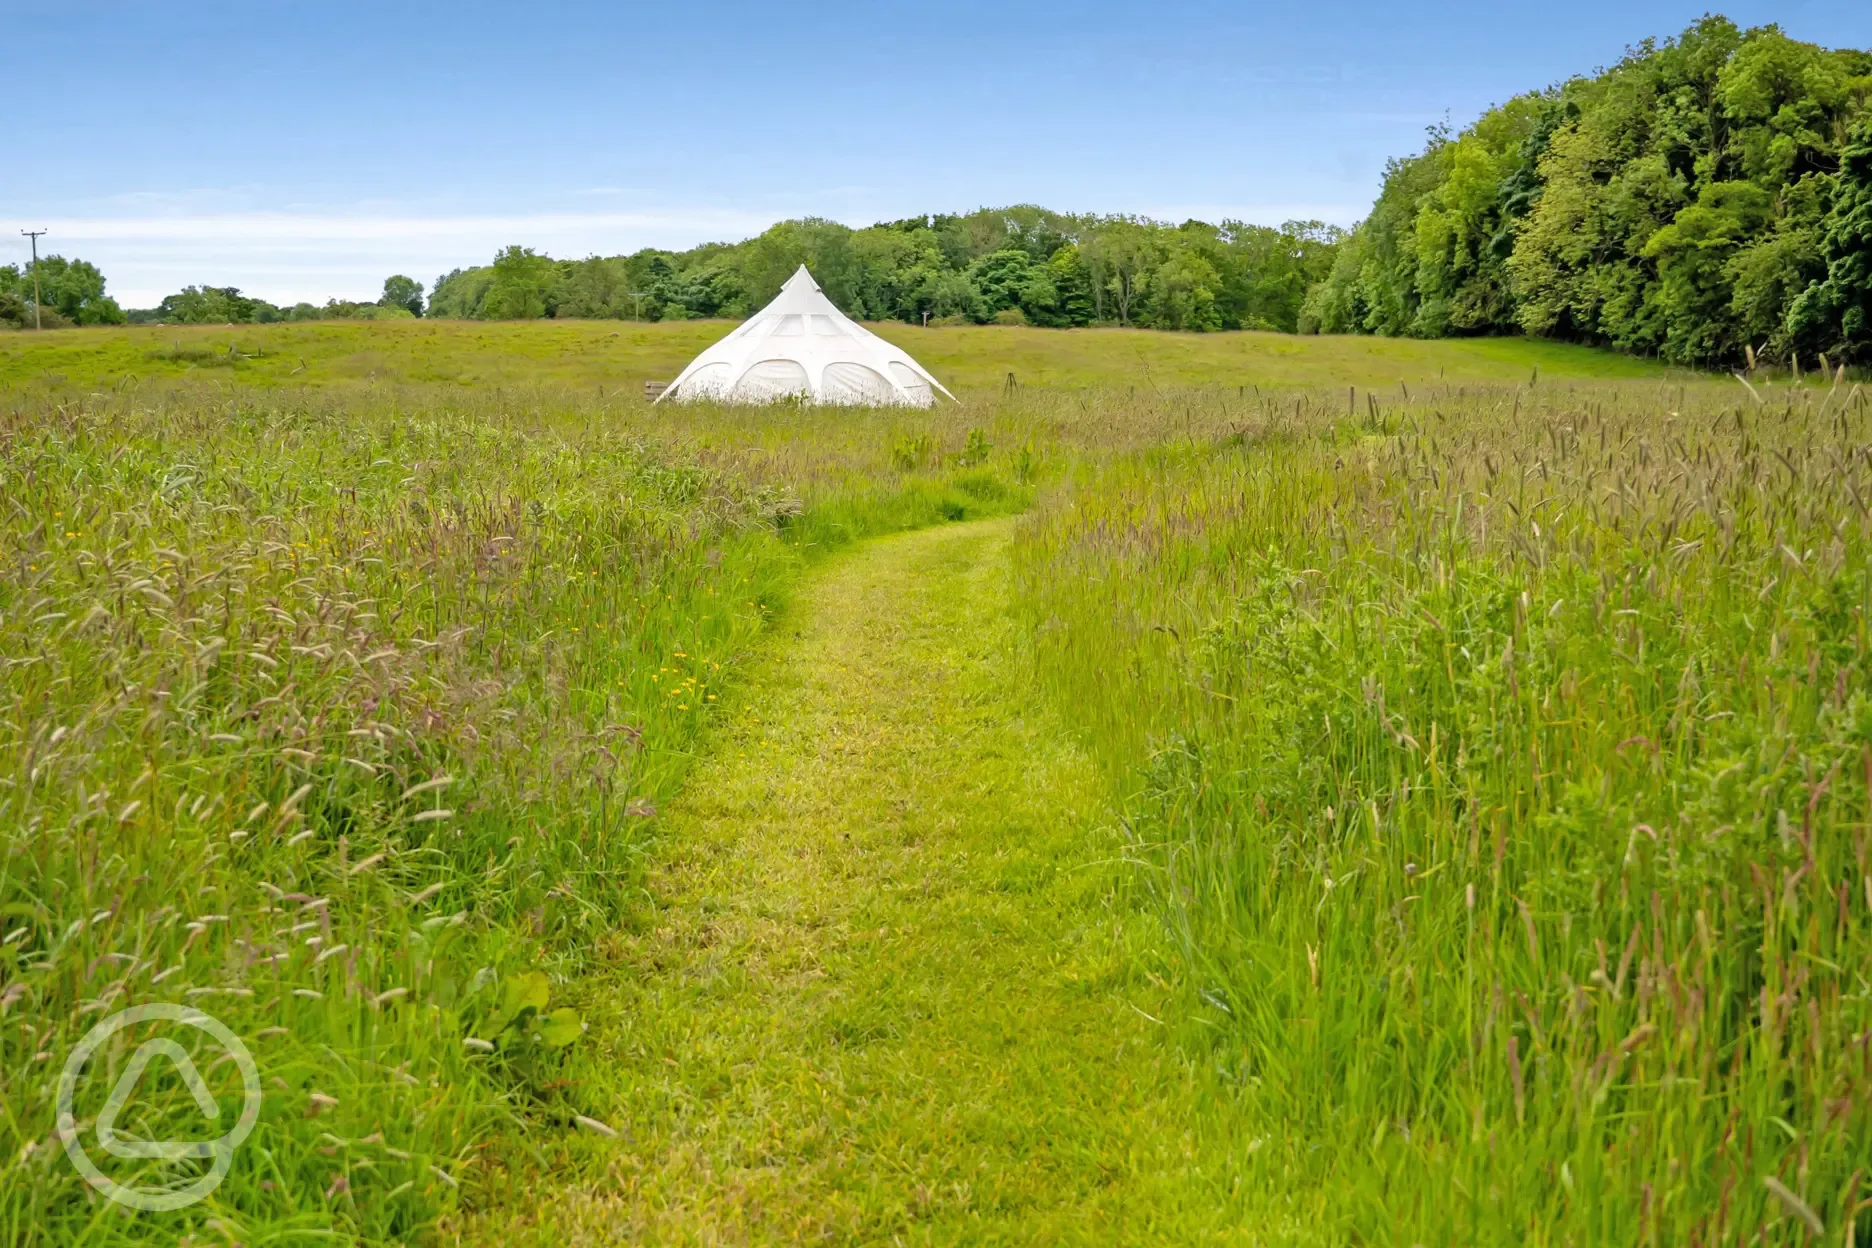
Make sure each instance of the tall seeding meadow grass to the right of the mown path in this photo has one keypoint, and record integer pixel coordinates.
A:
(1506, 777)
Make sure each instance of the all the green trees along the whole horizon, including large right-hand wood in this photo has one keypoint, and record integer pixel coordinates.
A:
(1706, 201)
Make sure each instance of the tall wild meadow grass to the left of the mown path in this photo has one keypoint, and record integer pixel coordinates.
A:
(338, 721)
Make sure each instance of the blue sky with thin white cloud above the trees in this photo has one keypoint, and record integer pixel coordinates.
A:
(308, 151)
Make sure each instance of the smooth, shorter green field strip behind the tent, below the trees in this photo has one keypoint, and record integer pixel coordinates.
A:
(630, 353)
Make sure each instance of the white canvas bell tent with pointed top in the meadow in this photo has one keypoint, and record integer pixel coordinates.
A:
(804, 347)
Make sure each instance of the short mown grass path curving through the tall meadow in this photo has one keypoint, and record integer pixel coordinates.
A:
(890, 993)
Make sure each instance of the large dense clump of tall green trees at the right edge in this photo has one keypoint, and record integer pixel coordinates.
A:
(1706, 201)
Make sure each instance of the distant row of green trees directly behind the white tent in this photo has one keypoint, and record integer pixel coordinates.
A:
(1017, 265)
